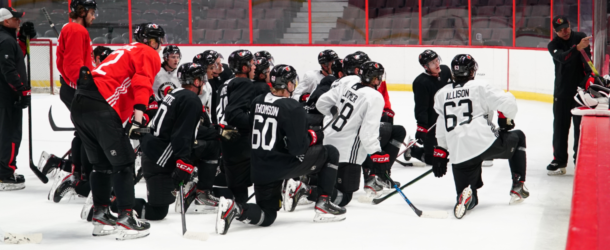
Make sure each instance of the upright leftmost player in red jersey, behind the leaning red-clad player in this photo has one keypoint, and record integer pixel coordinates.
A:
(73, 52)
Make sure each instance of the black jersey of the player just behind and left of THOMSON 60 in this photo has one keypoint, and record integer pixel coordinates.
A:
(235, 97)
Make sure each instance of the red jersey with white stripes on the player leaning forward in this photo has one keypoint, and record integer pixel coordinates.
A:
(126, 77)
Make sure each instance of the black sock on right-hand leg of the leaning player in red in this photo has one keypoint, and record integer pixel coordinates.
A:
(122, 181)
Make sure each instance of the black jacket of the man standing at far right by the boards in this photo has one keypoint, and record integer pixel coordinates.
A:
(570, 68)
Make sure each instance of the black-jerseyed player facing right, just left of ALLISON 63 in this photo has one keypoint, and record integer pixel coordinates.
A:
(425, 87)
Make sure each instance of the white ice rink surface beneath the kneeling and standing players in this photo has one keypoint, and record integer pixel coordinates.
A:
(540, 222)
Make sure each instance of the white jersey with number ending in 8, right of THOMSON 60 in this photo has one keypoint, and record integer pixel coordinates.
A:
(355, 131)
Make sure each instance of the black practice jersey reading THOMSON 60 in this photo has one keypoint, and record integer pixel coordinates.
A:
(279, 136)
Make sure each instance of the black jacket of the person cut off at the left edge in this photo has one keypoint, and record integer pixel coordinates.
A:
(13, 75)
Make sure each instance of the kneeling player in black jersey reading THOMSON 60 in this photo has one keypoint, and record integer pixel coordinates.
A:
(282, 148)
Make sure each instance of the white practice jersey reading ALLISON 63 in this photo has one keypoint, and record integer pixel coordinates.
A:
(464, 126)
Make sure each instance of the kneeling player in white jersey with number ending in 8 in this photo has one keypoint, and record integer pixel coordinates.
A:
(352, 125)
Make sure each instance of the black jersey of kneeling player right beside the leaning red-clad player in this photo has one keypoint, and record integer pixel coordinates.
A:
(173, 127)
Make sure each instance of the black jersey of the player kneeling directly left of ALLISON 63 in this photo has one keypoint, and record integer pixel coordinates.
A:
(424, 88)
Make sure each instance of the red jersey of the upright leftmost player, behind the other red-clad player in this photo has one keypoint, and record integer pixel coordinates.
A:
(73, 52)
